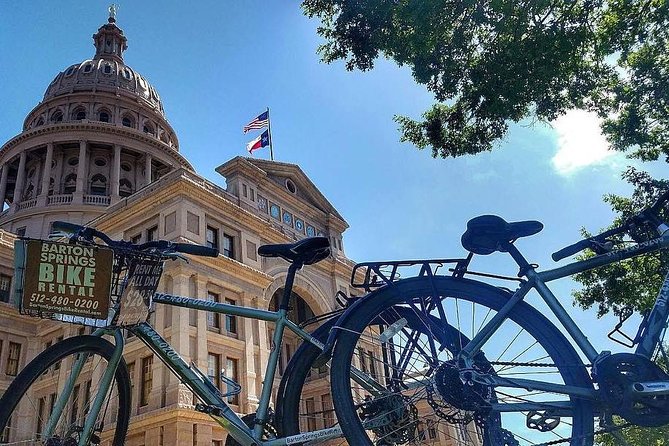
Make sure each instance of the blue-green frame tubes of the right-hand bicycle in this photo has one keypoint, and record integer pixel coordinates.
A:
(648, 341)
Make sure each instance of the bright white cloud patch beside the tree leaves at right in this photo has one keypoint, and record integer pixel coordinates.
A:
(580, 142)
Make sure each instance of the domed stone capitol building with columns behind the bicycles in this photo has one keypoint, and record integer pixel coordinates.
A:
(99, 150)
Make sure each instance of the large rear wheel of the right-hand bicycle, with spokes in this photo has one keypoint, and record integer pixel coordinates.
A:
(428, 396)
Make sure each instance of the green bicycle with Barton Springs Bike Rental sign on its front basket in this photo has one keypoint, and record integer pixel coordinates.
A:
(95, 376)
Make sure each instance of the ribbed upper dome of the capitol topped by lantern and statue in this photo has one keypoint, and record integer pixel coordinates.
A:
(106, 72)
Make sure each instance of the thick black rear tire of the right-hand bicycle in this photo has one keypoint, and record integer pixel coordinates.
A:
(497, 431)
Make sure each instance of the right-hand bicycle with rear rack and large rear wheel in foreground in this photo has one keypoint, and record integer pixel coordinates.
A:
(459, 359)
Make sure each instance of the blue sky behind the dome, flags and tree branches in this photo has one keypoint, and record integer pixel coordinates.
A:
(217, 64)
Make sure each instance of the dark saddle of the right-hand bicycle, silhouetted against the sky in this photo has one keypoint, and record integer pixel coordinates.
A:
(489, 233)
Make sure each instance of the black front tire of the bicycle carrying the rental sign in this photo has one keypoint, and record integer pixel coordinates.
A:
(41, 365)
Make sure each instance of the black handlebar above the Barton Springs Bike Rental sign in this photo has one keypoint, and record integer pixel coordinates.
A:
(161, 245)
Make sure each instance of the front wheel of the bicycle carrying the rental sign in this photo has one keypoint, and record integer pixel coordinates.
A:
(27, 404)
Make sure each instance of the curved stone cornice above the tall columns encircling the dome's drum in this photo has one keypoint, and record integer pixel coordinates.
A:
(97, 128)
